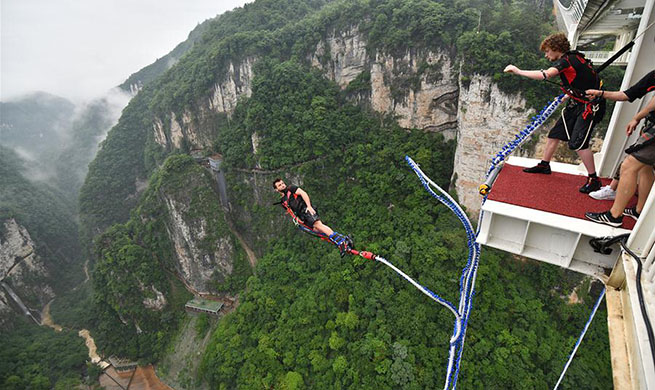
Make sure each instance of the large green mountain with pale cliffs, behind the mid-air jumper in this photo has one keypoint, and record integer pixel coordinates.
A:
(329, 95)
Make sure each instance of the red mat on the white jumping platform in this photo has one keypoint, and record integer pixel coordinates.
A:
(555, 193)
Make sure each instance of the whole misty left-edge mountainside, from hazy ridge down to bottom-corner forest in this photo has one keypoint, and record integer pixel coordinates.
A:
(46, 144)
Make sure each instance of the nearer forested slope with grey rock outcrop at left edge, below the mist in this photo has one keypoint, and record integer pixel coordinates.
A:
(40, 249)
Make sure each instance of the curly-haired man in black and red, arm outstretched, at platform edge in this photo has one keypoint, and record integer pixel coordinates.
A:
(580, 115)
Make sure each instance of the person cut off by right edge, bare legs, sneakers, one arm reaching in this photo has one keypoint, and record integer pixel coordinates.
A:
(637, 168)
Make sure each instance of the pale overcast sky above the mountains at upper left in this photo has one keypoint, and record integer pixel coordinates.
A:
(79, 49)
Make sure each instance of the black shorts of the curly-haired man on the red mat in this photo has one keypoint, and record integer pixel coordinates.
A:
(575, 126)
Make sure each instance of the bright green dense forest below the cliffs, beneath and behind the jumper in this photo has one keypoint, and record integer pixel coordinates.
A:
(312, 318)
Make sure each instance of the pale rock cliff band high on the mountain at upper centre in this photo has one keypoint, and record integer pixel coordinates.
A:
(419, 88)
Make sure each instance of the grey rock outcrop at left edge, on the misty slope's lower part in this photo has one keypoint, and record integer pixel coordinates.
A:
(21, 268)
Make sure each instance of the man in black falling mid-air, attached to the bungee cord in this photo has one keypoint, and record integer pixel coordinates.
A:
(297, 201)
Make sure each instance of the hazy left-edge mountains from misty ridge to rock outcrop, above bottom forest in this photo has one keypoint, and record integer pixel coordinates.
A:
(46, 144)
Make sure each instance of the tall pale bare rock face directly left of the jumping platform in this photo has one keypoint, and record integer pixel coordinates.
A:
(488, 119)
